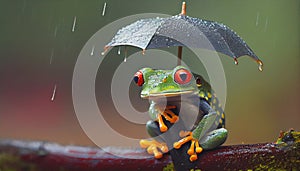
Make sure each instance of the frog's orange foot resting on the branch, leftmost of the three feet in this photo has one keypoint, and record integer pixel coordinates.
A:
(154, 147)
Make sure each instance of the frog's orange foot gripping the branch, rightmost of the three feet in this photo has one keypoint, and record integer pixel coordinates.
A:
(194, 147)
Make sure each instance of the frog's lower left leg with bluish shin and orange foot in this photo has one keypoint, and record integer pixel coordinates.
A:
(153, 145)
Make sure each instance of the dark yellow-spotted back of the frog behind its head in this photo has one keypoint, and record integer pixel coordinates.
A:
(206, 93)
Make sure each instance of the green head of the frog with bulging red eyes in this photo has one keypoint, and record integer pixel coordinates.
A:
(167, 83)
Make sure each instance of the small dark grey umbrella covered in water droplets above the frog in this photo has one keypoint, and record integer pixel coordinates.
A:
(181, 30)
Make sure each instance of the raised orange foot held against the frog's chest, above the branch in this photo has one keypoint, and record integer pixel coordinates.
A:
(168, 114)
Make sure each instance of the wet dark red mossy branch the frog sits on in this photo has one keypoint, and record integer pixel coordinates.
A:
(24, 155)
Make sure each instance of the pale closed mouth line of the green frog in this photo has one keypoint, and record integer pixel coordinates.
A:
(167, 94)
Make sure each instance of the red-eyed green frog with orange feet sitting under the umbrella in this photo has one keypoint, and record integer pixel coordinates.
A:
(171, 91)
